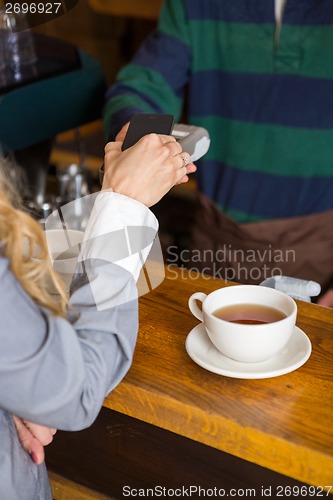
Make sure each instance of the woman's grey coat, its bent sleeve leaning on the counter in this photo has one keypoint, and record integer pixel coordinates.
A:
(57, 372)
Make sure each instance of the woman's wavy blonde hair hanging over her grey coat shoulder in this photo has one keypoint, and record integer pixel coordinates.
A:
(20, 238)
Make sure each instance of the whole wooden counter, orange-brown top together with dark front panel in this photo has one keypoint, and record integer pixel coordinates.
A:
(172, 423)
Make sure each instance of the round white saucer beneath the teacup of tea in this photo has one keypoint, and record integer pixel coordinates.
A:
(204, 353)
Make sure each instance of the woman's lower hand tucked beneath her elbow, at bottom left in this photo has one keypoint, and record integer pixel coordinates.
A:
(33, 438)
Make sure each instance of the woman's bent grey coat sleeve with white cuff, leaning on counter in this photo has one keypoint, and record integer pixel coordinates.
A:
(57, 371)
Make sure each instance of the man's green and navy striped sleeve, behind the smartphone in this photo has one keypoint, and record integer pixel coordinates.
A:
(153, 82)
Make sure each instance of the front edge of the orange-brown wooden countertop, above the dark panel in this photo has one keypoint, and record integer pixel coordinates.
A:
(289, 459)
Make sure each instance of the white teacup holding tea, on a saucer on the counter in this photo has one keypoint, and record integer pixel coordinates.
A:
(248, 343)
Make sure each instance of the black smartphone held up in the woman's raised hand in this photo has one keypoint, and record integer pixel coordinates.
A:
(143, 124)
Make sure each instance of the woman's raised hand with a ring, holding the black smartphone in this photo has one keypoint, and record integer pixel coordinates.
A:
(147, 170)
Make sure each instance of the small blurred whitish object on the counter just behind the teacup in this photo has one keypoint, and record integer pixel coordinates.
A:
(296, 288)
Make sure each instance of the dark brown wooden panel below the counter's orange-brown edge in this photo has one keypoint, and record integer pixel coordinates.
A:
(119, 451)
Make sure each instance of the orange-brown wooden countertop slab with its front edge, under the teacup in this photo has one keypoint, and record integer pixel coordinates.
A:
(282, 423)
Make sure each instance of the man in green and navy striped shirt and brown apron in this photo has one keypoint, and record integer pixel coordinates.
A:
(258, 75)
